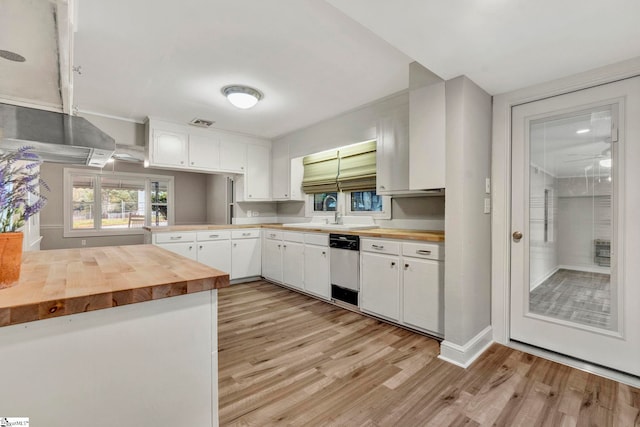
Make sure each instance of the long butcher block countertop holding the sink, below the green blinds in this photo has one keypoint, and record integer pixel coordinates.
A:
(385, 233)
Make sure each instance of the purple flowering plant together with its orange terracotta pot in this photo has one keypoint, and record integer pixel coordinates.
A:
(20, 199)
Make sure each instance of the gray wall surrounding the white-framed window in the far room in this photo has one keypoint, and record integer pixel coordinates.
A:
(190, 204)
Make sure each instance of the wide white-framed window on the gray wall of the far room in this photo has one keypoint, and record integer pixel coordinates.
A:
(105, 203)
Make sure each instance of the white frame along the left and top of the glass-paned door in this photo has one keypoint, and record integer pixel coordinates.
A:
(501, 179)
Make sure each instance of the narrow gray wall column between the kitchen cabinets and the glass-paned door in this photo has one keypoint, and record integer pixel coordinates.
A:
(468, 229)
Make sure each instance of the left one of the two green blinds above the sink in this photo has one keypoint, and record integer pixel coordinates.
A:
(320, 172)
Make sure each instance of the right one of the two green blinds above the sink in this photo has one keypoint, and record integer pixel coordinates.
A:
(357, 167)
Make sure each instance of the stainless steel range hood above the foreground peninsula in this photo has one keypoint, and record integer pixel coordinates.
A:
(56, 137)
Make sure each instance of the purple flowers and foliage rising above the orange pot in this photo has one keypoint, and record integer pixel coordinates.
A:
(20, 183)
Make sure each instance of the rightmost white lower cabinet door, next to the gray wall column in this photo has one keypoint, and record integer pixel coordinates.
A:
(423, 294)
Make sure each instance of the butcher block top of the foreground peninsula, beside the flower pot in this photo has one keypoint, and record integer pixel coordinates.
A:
(67, 281)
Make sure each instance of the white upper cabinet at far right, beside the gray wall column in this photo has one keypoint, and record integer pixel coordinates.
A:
(427, 137)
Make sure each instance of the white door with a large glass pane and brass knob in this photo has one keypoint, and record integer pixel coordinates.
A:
(576, 235)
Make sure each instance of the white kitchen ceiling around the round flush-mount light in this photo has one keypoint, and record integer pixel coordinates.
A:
(313, 59)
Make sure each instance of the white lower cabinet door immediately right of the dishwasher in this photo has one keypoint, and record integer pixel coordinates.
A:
(380, 285)
